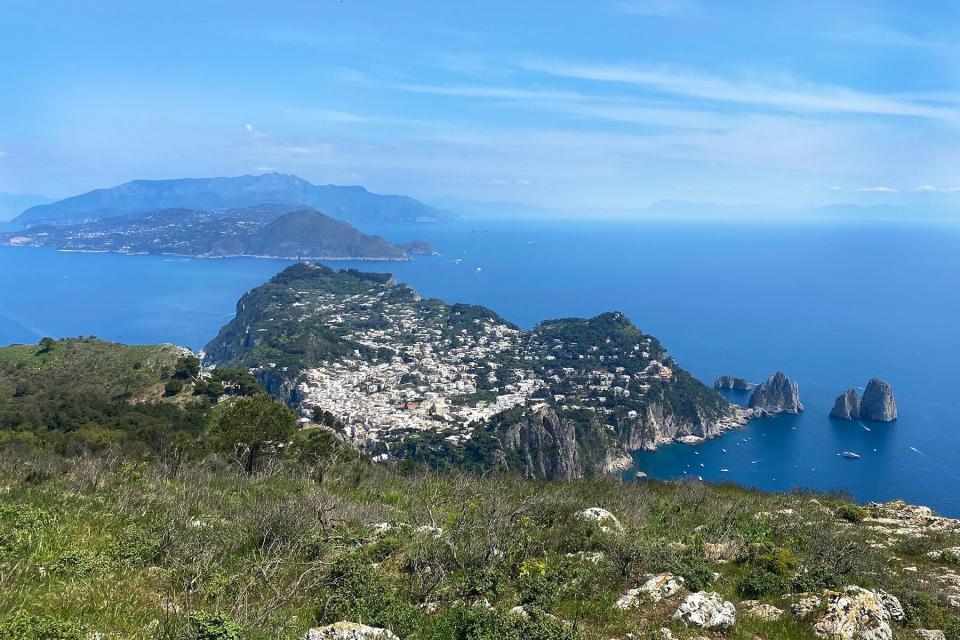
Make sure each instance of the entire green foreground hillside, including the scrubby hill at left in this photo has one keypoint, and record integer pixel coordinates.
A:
(136, 501)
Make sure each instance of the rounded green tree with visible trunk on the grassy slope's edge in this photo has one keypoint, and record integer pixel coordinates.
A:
(252, 424)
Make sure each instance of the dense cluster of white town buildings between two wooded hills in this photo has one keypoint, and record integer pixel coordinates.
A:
(417, 366)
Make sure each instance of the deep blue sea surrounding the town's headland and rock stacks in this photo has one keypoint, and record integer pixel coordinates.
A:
(830, 304)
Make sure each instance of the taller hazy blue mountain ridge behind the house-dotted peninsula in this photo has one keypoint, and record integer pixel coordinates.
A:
(353, 204)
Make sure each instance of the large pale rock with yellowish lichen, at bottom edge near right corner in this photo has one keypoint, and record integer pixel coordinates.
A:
(855, 614)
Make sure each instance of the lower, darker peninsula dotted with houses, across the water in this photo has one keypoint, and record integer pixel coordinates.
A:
(264, 231)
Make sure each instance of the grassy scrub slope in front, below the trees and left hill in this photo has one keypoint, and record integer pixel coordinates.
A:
(135, 549)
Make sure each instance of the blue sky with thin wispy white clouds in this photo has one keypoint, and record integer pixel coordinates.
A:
(606, 104)
